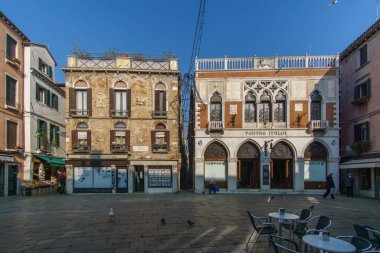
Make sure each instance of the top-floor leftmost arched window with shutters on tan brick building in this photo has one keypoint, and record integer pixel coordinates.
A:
(80, 99)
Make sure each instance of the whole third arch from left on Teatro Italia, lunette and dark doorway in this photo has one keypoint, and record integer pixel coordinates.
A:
(282, 160)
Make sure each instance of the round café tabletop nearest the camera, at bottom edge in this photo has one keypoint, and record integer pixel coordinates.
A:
(332, 245)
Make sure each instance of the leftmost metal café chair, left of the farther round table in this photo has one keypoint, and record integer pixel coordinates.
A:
(261, 226)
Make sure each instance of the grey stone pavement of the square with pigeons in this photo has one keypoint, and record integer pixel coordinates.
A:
(80, 223)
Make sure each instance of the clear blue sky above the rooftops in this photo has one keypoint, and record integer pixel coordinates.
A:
(236, 28)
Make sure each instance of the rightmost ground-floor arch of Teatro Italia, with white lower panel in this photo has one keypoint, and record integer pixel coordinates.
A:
(315, 166)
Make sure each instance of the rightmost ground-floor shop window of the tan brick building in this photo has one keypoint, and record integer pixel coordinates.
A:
(159, 177)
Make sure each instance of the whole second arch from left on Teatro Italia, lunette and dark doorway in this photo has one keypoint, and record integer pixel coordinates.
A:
(248, 166)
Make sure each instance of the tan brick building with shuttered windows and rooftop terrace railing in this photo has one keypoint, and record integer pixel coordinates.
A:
(122, 124)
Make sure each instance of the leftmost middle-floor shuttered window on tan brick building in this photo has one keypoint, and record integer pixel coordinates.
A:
(81, 138)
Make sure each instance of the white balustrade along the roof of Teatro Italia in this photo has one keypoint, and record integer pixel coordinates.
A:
(276, 62)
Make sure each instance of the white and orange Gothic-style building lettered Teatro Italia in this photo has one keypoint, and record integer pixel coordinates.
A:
(265, 124)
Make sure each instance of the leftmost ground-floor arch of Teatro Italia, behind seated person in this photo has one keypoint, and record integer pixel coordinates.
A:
(216, 165)
